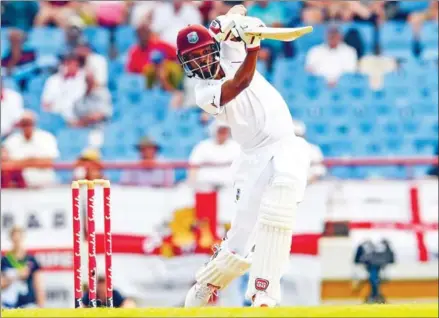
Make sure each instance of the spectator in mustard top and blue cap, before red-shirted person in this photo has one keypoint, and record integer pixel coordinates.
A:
(168, 75)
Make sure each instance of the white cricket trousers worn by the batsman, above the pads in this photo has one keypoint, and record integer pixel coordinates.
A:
(252, 173)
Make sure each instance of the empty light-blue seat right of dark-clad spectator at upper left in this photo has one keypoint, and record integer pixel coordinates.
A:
(47, 40)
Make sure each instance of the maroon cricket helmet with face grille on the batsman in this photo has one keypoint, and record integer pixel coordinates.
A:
(194, 37)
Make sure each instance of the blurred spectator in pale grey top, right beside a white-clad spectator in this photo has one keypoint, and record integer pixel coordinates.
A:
(94, 107)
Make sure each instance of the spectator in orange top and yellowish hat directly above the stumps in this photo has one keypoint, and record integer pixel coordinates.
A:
(88, 166)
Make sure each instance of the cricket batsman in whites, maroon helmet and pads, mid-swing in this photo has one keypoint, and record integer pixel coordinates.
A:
(270, 174)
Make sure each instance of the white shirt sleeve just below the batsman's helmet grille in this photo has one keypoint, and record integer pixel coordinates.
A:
(208, 97)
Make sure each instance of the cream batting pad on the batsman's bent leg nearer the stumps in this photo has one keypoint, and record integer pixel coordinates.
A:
(223, 269)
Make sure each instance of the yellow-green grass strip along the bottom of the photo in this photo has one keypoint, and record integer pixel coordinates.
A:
(414, 310)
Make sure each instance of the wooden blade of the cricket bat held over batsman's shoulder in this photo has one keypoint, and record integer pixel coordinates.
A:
(279, 34)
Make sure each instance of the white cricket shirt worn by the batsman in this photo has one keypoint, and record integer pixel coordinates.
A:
(257, 117)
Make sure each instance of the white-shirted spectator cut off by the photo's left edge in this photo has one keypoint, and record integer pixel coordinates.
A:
(11, 110)
